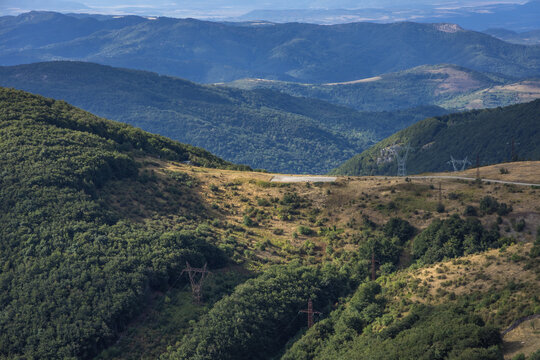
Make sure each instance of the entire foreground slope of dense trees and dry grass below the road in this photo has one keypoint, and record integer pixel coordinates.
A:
(99, 218)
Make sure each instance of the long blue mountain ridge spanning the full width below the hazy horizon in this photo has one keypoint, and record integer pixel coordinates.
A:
(215, 52)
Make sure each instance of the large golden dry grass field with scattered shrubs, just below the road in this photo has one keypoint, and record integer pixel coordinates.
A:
(275, 222)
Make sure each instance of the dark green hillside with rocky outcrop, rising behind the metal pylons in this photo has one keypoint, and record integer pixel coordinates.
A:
(487, 134)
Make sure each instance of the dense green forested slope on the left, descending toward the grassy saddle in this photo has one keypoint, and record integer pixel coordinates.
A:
(74, 267)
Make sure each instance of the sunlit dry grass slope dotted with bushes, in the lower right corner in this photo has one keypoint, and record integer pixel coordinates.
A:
(500, 283)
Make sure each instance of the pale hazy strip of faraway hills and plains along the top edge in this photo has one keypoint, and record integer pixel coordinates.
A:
(475, 15)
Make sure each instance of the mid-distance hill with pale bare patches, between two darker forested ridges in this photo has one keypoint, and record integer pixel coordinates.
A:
(427, 84)
